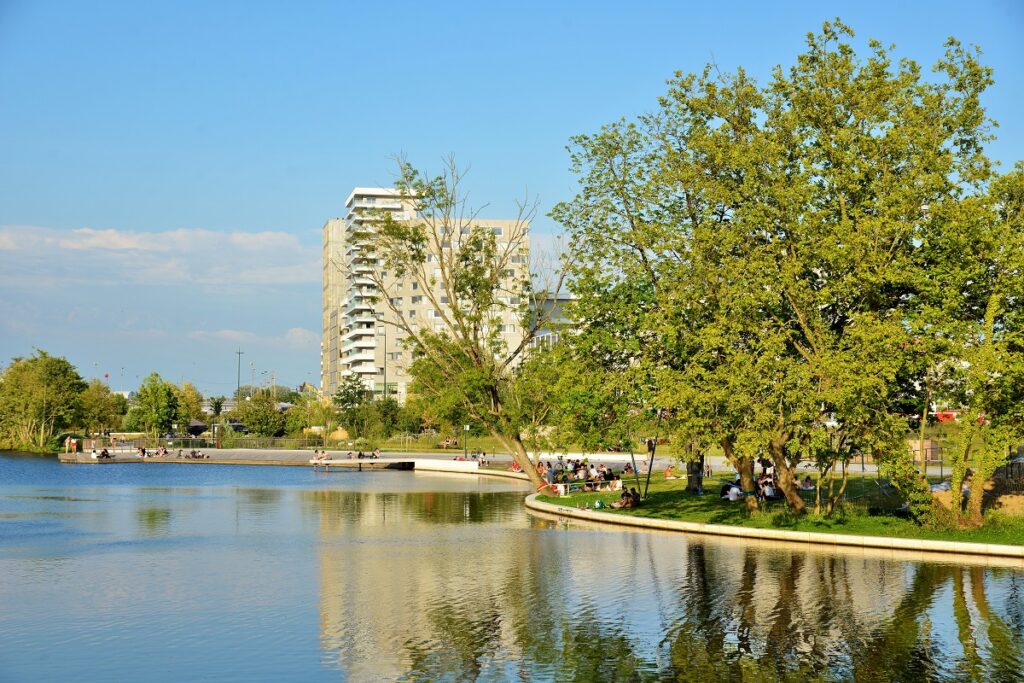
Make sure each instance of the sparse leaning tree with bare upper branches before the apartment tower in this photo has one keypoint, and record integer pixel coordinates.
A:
(478, 284)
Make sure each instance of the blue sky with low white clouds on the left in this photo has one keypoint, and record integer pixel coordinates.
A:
(166, 167)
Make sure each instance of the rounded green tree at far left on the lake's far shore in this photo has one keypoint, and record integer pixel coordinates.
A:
(39, 397)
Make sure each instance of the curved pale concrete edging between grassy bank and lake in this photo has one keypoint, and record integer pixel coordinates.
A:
(883, 543)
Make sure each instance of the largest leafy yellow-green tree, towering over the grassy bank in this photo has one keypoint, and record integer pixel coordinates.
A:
(778, 236)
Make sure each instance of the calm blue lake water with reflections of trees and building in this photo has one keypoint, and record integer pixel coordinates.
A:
(178, 572)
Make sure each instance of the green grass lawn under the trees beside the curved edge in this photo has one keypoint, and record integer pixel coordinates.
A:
(669, 500)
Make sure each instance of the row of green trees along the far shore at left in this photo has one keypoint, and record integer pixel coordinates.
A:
(44, 398)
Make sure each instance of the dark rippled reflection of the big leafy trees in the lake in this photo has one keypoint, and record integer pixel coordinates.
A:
(758, 626)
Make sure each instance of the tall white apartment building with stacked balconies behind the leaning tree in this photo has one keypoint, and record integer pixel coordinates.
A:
(358, 337)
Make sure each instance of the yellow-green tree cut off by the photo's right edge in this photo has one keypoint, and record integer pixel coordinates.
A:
(976, 312)
